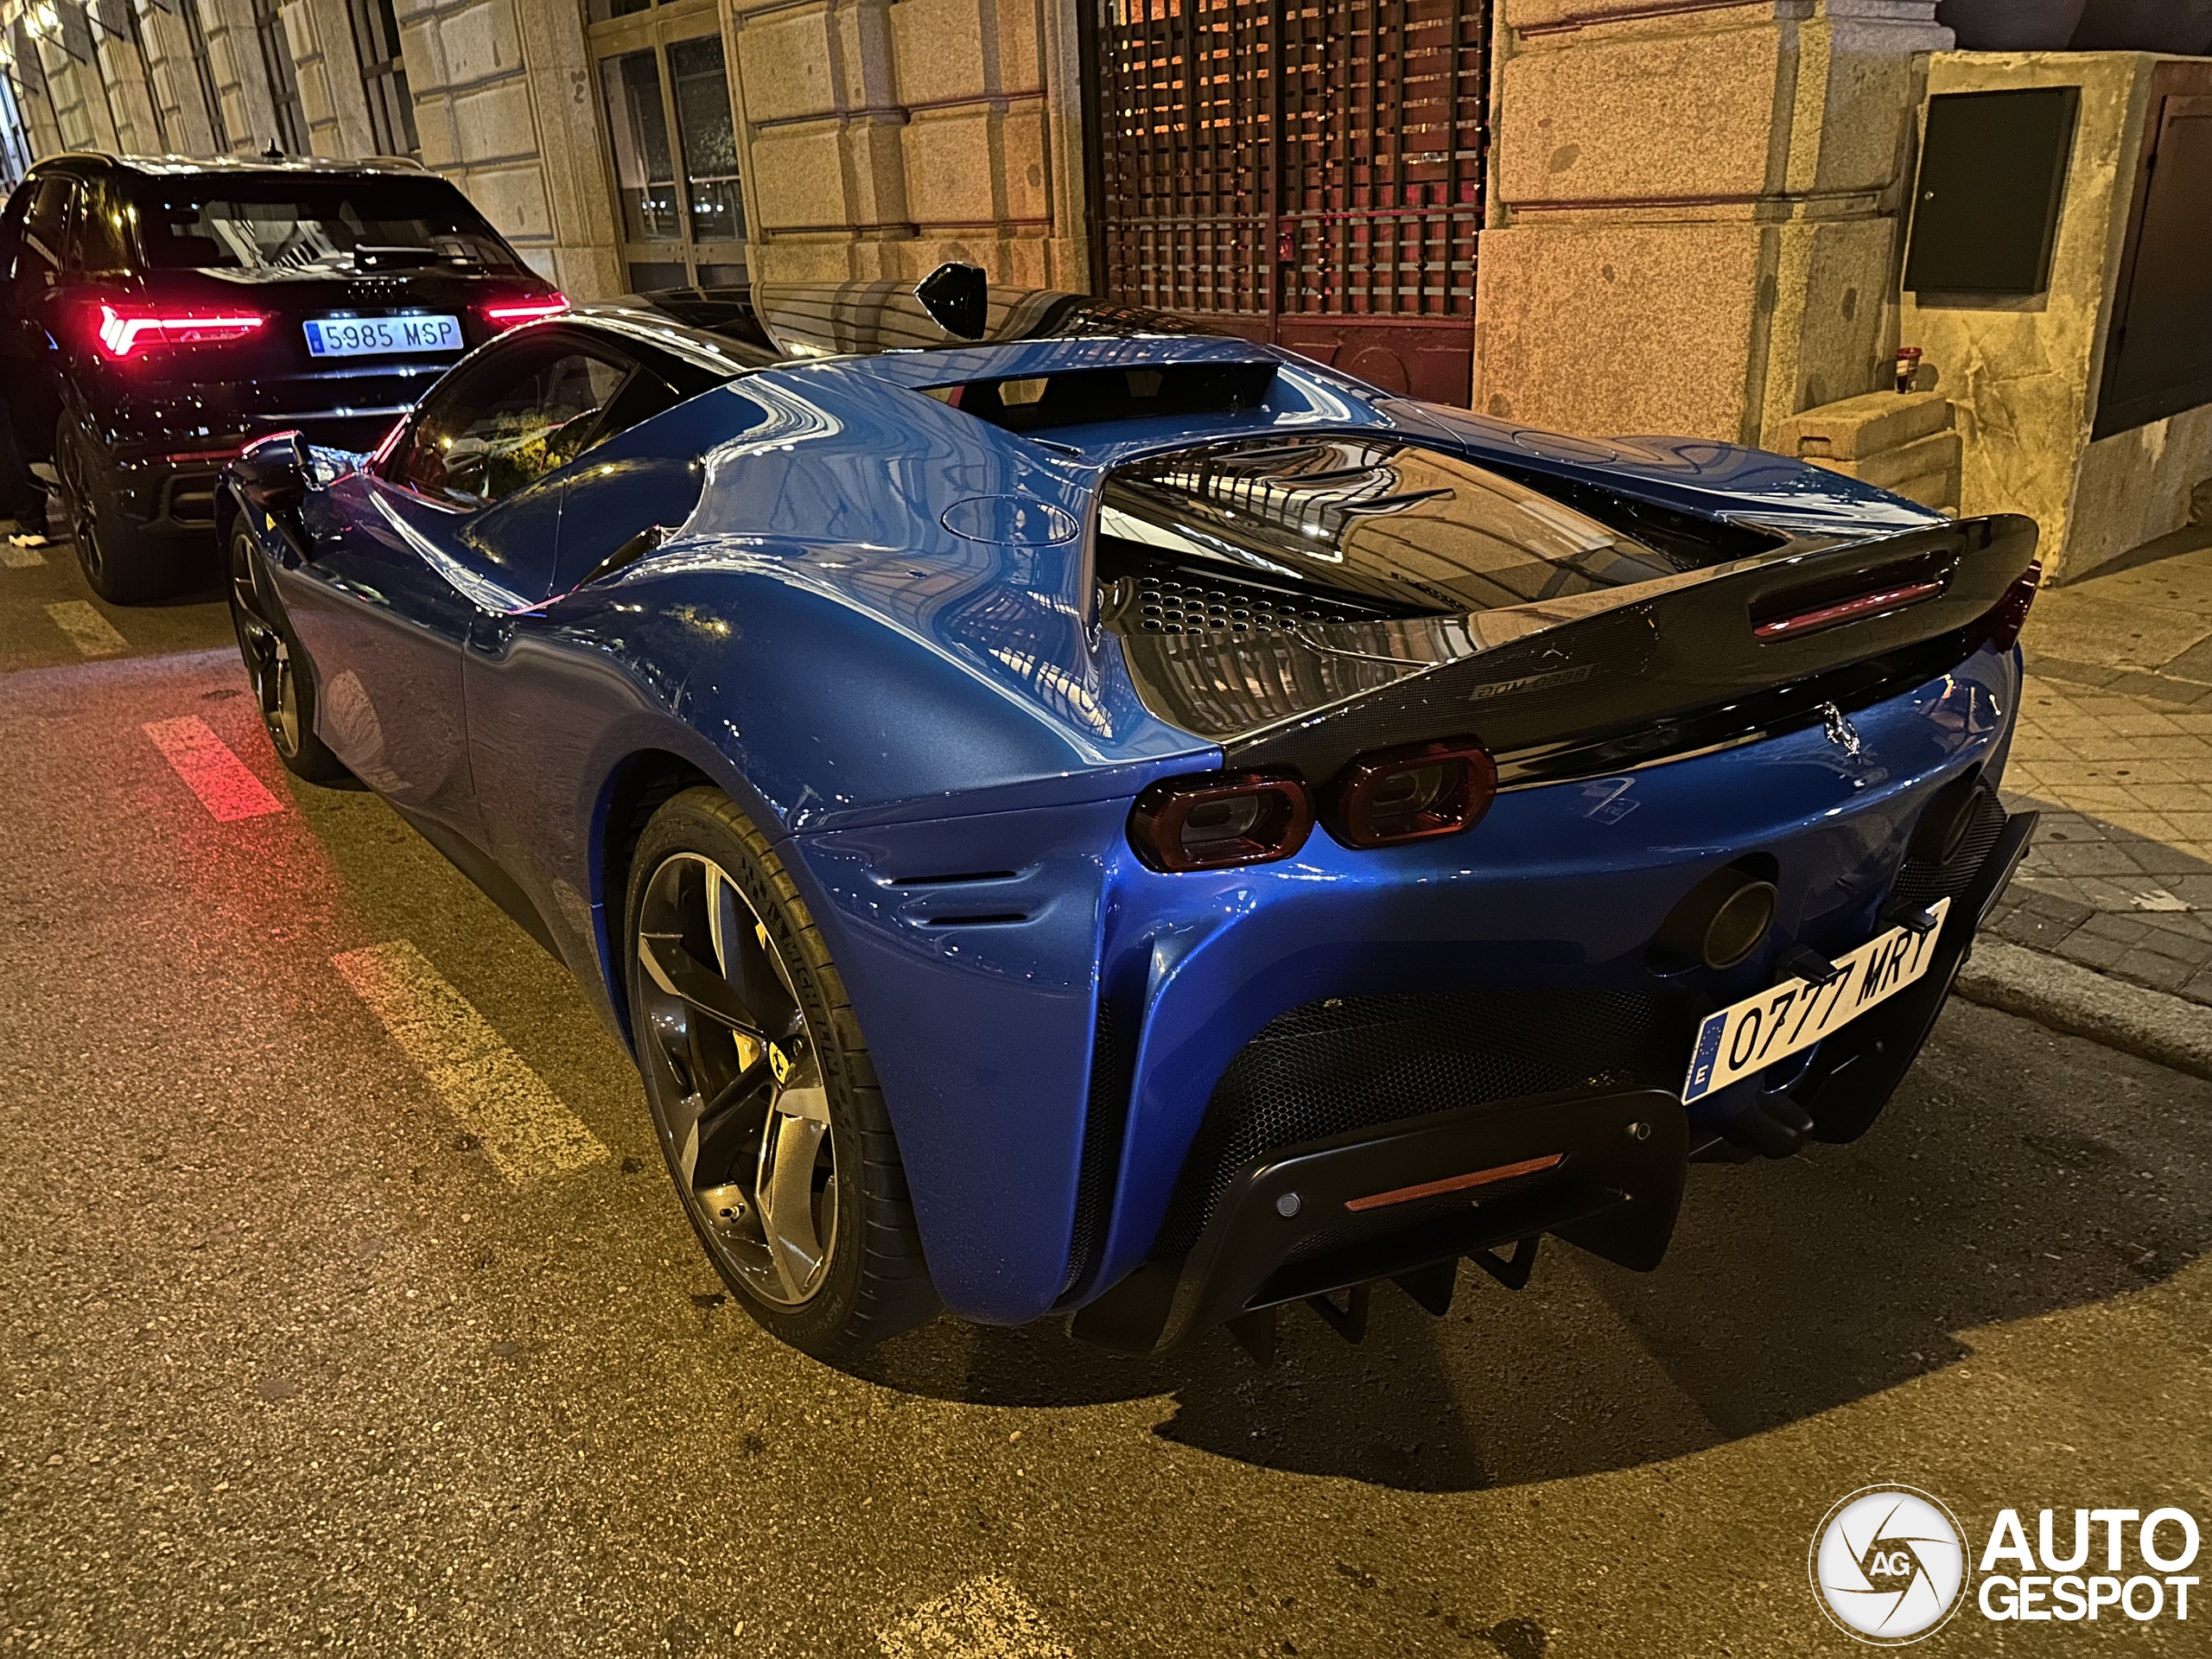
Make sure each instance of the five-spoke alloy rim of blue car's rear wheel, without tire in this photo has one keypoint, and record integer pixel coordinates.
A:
(735, 1081)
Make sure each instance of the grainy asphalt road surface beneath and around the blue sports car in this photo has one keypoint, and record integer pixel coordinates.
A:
(295, 1364)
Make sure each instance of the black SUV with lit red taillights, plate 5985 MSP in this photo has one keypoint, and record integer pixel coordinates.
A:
(158, 315)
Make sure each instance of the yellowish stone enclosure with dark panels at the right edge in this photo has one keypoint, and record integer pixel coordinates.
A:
(2058, 278)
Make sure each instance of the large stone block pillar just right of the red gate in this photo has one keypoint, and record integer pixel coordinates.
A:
(1695, 209)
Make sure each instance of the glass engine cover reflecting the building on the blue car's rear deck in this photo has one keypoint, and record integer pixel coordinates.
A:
(1366, 517)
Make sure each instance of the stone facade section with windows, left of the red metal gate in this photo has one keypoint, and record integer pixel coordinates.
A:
(868, 138)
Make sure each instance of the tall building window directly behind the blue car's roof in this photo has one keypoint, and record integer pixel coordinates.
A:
(665, 85)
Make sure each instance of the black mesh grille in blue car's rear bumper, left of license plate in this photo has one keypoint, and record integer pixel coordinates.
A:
(1364, 1063)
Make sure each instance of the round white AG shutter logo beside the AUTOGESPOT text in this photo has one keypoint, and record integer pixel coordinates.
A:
(1888, 1565)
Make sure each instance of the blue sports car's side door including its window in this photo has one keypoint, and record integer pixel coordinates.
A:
(455, 528)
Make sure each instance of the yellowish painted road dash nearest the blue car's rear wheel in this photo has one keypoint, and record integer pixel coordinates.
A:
(523, 1125)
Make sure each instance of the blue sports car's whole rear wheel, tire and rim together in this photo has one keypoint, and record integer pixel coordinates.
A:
(716, 939)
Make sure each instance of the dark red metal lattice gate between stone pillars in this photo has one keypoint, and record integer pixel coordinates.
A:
(1300, 171)
